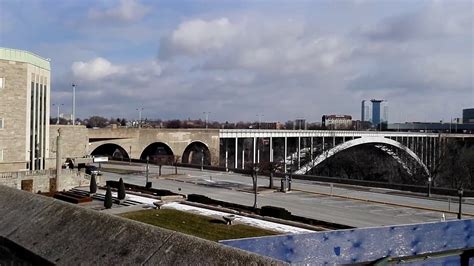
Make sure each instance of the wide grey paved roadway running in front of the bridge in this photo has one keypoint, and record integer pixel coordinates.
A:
(353, 206)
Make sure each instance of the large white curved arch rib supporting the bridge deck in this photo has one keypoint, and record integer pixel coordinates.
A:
(361, 141)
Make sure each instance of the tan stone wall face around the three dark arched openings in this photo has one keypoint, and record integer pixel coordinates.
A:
(137, 140)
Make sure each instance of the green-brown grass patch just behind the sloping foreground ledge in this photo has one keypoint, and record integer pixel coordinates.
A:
(196, 225)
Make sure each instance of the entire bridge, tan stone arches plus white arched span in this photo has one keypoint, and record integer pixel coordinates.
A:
(234, 148)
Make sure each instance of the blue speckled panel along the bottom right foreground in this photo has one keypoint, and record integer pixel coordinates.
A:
(363, 245)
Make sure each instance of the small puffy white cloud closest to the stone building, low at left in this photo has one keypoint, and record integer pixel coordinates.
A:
(96, 69)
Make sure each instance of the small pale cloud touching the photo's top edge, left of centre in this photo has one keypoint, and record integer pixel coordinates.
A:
(125, 11)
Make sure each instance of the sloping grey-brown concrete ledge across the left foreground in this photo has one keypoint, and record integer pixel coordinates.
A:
(66, 234)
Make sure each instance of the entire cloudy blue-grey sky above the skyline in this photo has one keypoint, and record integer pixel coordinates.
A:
(248, 60)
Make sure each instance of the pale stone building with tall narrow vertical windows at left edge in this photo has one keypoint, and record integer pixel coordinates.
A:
(24, 110)
